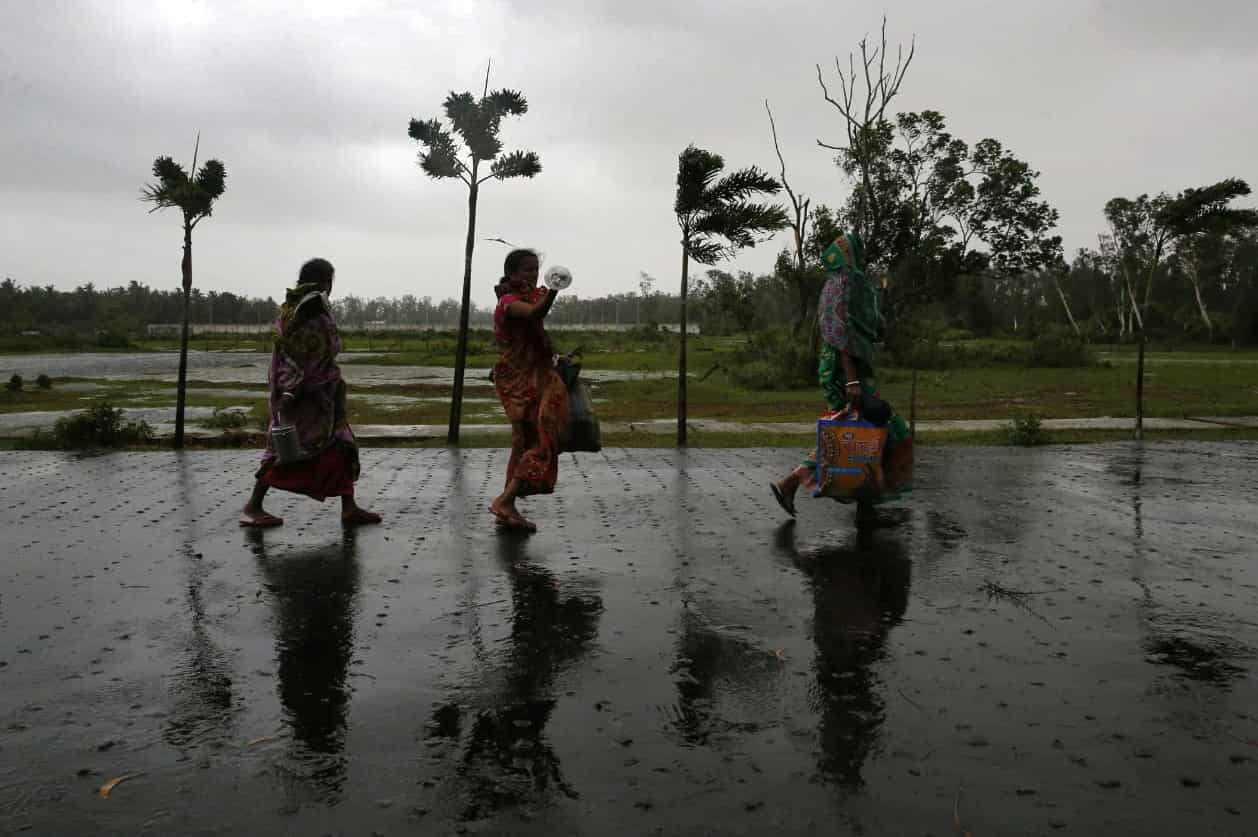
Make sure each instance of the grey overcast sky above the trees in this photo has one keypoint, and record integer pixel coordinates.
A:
(308, 105)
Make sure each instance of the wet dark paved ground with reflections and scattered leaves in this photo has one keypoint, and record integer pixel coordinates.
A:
(1042, 641)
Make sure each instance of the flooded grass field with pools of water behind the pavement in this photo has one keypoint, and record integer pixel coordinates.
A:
(391, 390)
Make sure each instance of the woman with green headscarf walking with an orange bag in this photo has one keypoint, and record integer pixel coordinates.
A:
(851, 322)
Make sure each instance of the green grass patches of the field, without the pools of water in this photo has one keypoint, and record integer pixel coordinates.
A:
(1187, 382)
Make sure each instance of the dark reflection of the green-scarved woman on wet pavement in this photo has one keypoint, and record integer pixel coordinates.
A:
(860, 591)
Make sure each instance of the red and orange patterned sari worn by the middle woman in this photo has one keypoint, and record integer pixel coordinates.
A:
(533, 395)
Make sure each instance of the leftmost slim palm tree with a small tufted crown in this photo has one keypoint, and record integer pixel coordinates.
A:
(194, 197)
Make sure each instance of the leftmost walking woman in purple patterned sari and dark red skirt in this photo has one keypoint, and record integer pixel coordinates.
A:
(308, 392)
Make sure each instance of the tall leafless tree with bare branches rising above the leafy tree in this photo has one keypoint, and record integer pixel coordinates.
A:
(865, 98)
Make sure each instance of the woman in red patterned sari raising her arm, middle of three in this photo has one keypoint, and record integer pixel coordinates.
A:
(532, 392)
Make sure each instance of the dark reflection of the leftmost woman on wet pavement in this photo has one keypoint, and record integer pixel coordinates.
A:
(314, 596)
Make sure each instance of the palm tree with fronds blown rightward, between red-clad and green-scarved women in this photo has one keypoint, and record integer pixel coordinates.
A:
(718, 220)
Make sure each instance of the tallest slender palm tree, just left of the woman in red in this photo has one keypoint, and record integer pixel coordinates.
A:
(477, 124)
